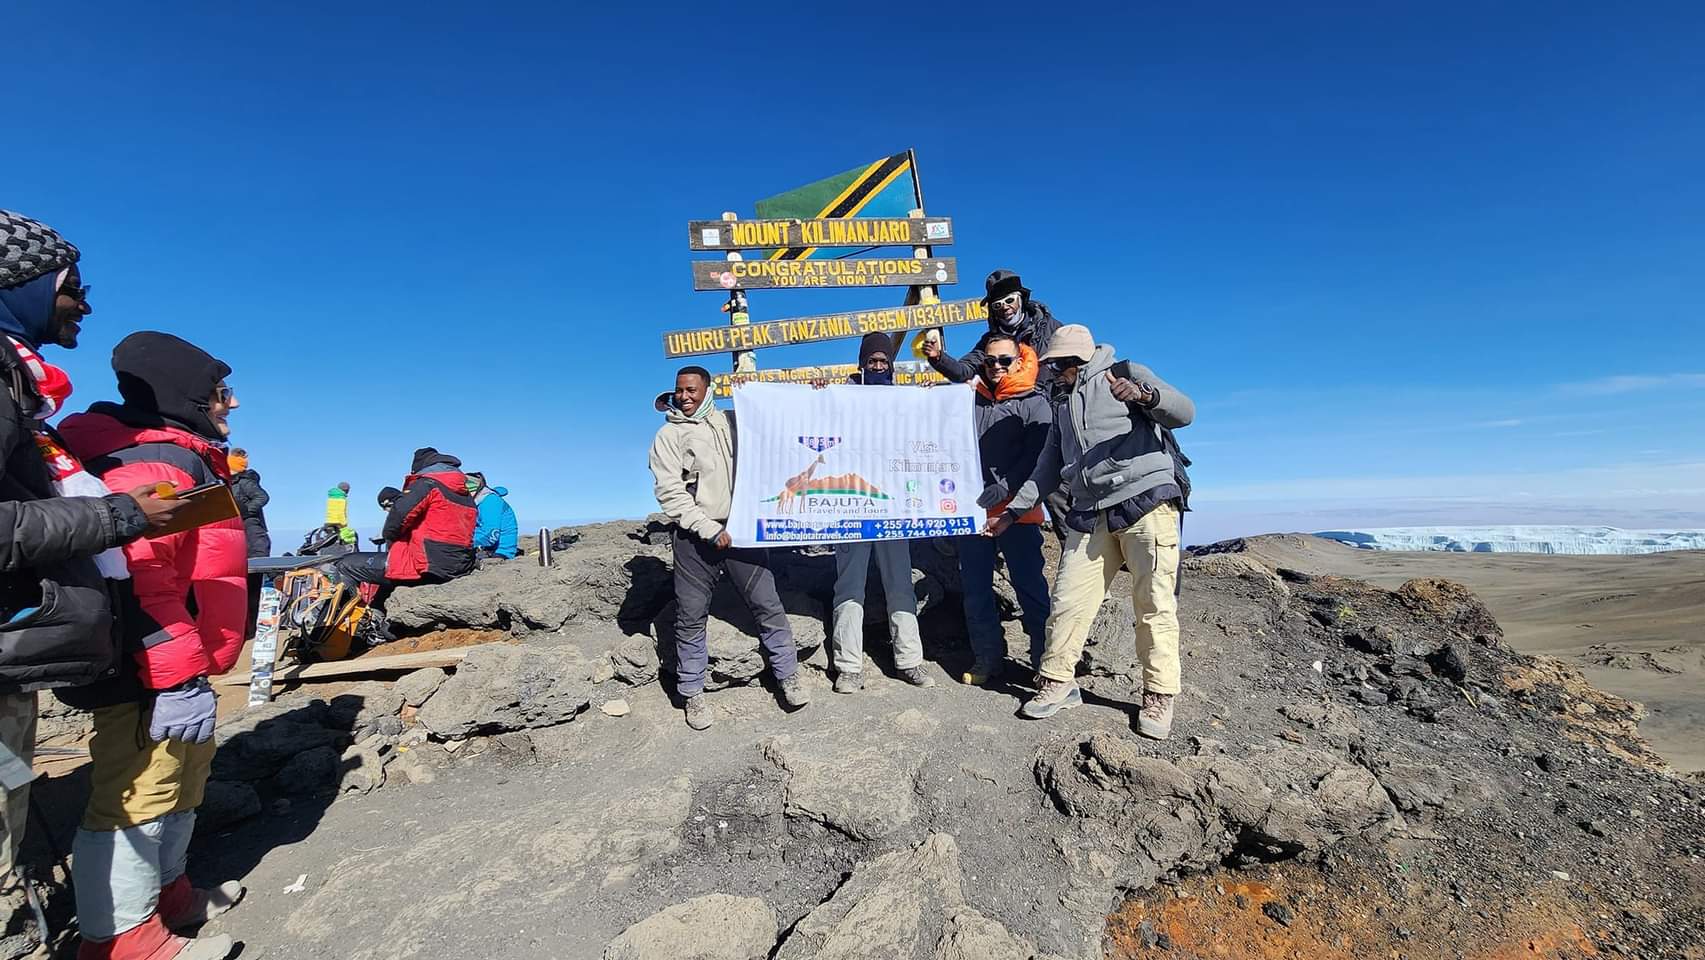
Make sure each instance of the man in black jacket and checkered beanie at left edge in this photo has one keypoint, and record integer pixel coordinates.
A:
(61, 528)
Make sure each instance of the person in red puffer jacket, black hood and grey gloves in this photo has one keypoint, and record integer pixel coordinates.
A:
(153, 746)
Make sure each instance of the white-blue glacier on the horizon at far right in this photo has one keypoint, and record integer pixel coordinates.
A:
(1534, 540)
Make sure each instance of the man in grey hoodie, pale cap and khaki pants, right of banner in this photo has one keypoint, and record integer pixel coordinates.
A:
(1113, 444)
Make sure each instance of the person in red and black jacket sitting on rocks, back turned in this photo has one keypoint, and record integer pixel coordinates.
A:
(429, 531)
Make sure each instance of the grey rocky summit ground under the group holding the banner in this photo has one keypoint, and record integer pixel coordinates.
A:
(1355, 773)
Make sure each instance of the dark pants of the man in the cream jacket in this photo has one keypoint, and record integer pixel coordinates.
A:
(698, 565)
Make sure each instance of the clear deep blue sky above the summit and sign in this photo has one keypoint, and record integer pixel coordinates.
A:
(1416, 262)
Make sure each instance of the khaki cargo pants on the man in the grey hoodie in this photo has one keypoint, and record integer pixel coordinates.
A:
(1089, 565)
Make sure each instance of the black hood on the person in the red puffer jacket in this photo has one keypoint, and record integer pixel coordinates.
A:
(171, 378)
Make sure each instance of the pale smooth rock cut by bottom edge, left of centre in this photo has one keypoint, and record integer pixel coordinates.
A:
(717, 927)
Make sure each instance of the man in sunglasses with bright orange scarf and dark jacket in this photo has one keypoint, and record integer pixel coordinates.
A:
(1012, 431)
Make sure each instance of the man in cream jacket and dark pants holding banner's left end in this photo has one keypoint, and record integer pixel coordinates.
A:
(693, 466)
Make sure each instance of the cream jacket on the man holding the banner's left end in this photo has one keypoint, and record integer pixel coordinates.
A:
(693, 466)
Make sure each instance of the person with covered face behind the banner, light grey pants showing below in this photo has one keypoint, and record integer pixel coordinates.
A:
(894, 565)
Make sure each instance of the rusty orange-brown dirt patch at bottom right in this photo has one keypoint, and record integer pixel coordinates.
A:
(1350, 913)
